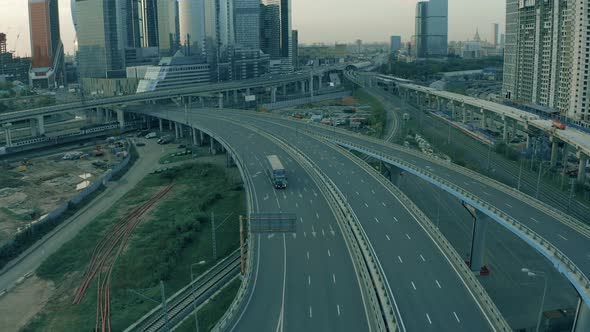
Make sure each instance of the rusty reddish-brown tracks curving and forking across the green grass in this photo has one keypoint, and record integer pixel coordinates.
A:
(104, 257)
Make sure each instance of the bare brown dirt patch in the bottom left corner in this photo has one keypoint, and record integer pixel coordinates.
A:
(23, 302)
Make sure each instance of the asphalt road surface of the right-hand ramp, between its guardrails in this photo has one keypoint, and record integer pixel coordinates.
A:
(563, 237)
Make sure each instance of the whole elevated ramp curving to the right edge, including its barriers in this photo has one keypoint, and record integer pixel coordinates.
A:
(568, 235)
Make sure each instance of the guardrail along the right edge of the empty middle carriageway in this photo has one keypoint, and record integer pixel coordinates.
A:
(473, 285)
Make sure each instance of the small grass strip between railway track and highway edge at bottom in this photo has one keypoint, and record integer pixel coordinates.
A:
(213, 310)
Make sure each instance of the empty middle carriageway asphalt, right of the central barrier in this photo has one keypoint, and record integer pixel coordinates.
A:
(387, 238)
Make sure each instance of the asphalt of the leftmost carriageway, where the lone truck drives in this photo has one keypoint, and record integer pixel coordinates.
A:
(303, 281)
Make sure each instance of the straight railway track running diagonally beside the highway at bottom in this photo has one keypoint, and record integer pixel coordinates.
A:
(182, 303)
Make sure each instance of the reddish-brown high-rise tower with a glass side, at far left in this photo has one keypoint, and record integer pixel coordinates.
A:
(46, 46)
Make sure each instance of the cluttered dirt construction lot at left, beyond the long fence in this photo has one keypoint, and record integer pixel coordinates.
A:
(30, 189)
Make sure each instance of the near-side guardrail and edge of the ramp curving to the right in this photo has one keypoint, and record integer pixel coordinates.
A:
(562, 262)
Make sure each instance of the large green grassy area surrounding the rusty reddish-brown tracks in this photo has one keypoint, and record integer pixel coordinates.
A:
(173, 235)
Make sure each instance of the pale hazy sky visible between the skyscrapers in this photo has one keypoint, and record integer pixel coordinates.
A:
(318, 21)
